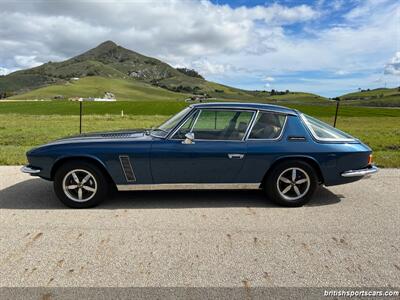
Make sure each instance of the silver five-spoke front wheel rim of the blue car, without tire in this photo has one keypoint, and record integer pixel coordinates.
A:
(79, 185)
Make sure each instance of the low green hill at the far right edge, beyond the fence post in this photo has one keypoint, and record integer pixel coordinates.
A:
(389, 97)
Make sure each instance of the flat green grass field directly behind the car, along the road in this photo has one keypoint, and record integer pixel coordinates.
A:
(28, 124)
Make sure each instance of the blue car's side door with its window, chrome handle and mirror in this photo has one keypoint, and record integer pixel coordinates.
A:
(216, 154)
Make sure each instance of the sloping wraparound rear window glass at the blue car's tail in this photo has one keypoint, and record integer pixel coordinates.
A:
(325, 132)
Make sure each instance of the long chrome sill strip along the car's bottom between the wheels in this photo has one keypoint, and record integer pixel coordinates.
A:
(188, 186)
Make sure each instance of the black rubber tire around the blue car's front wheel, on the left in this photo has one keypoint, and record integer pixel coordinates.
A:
(97, 182)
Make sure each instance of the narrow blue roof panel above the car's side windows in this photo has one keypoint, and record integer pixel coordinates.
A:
(243, 105)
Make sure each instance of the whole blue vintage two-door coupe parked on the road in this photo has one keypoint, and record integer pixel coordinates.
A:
(282, 151)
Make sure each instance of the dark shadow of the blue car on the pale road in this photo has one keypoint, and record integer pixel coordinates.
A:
(38, 194)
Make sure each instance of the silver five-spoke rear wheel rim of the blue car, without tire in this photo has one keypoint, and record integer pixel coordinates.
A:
(293, 183)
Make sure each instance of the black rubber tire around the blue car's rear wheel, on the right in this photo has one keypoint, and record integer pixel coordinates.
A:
(304, 190)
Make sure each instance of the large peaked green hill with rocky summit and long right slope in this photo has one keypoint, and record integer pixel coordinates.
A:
(130, 76)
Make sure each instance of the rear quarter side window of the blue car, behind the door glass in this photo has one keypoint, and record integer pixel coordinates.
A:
(267, 126)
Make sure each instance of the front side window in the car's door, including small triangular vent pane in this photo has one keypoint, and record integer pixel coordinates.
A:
(218, 125)
